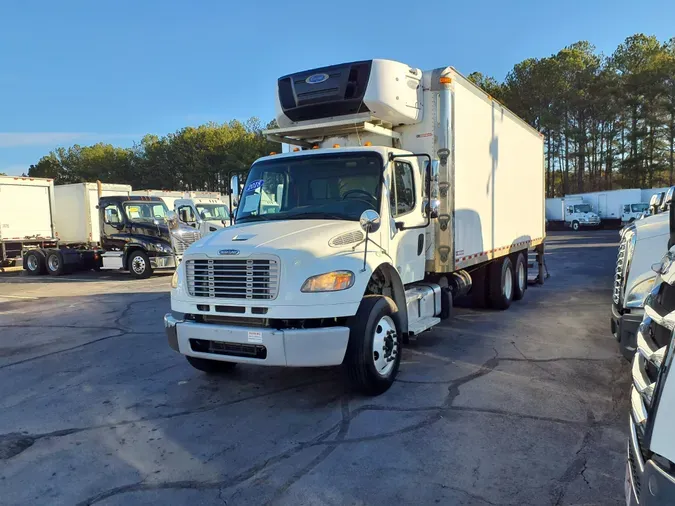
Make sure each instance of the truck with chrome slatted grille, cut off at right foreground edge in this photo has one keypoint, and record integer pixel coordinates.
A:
(650, 470)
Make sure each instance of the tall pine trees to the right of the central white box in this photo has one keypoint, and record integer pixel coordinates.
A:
(608, 121)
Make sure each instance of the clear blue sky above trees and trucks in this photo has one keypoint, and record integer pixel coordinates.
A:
(111, 71)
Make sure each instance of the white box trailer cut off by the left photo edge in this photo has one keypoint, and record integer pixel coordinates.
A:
(26, 216)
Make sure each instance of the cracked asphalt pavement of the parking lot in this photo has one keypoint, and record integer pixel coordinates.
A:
(526, 406)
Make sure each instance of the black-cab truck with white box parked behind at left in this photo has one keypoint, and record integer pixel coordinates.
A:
(101, 226)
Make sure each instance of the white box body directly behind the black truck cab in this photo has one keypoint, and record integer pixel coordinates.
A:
(76, 216)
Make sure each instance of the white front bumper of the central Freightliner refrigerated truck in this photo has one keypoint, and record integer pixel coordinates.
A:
(258, 345)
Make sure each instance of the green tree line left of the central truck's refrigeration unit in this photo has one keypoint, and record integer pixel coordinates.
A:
(193, 158)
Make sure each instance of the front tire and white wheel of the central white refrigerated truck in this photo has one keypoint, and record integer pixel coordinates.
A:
(374, 350)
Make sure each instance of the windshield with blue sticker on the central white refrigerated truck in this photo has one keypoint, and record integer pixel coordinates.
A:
(333, 186)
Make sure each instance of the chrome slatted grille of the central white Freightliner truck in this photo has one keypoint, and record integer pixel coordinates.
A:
(233, 279)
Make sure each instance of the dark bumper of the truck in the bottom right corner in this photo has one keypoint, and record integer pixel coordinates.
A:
(646, 482)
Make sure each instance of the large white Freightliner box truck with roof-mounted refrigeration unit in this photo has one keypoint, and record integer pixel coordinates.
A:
(409, 187)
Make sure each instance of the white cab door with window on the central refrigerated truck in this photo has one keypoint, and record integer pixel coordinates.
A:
(406, 246)
